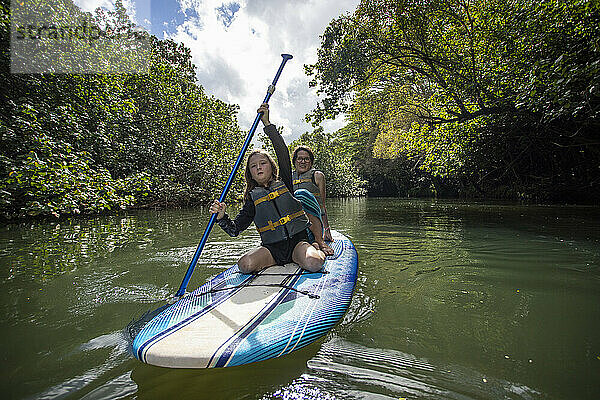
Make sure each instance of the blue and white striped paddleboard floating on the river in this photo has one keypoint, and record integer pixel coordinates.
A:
(237, 318)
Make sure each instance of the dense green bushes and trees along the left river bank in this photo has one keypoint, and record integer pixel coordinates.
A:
(85, 143)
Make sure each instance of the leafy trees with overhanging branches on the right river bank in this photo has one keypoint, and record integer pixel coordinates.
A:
(491, 97)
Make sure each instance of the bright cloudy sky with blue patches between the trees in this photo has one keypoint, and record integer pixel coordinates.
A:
(237, 45)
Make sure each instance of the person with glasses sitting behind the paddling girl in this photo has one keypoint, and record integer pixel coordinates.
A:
(305, 177)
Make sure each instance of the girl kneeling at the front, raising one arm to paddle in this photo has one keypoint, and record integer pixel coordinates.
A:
(278, 216)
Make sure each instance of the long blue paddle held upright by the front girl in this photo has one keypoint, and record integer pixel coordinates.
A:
(181, 291)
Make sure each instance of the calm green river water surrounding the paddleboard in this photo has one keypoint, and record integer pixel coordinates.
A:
(454, 300)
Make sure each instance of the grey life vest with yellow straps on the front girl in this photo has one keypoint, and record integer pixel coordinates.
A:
(279, 215)
